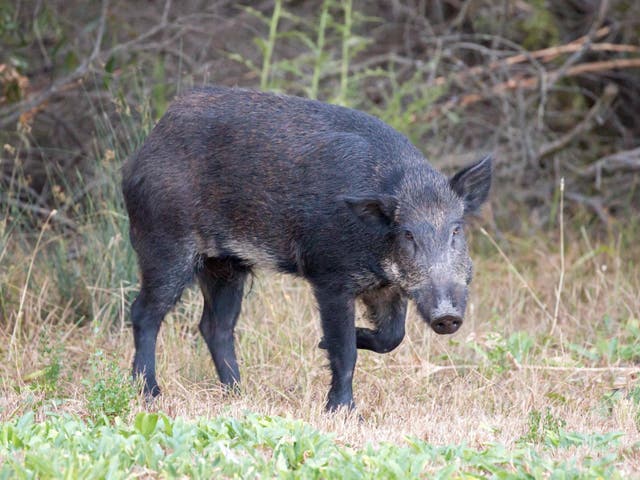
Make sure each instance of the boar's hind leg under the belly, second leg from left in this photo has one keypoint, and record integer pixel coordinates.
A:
(222, 284)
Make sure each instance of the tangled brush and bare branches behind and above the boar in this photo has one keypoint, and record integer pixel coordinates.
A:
(517, 79)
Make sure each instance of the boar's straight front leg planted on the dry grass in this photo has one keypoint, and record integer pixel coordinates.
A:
(337, 313)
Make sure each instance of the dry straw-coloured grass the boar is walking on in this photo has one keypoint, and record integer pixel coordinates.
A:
(468, 388)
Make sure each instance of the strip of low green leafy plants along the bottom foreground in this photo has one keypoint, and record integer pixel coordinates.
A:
(254, 446)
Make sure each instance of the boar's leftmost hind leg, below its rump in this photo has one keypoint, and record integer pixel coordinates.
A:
(161, 289)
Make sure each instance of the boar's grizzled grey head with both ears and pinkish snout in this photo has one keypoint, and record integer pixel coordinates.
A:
(428, 256)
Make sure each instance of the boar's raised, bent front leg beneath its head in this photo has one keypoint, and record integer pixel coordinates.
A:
(387, 309)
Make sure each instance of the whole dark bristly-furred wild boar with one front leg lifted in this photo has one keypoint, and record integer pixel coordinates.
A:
(230, 180)
